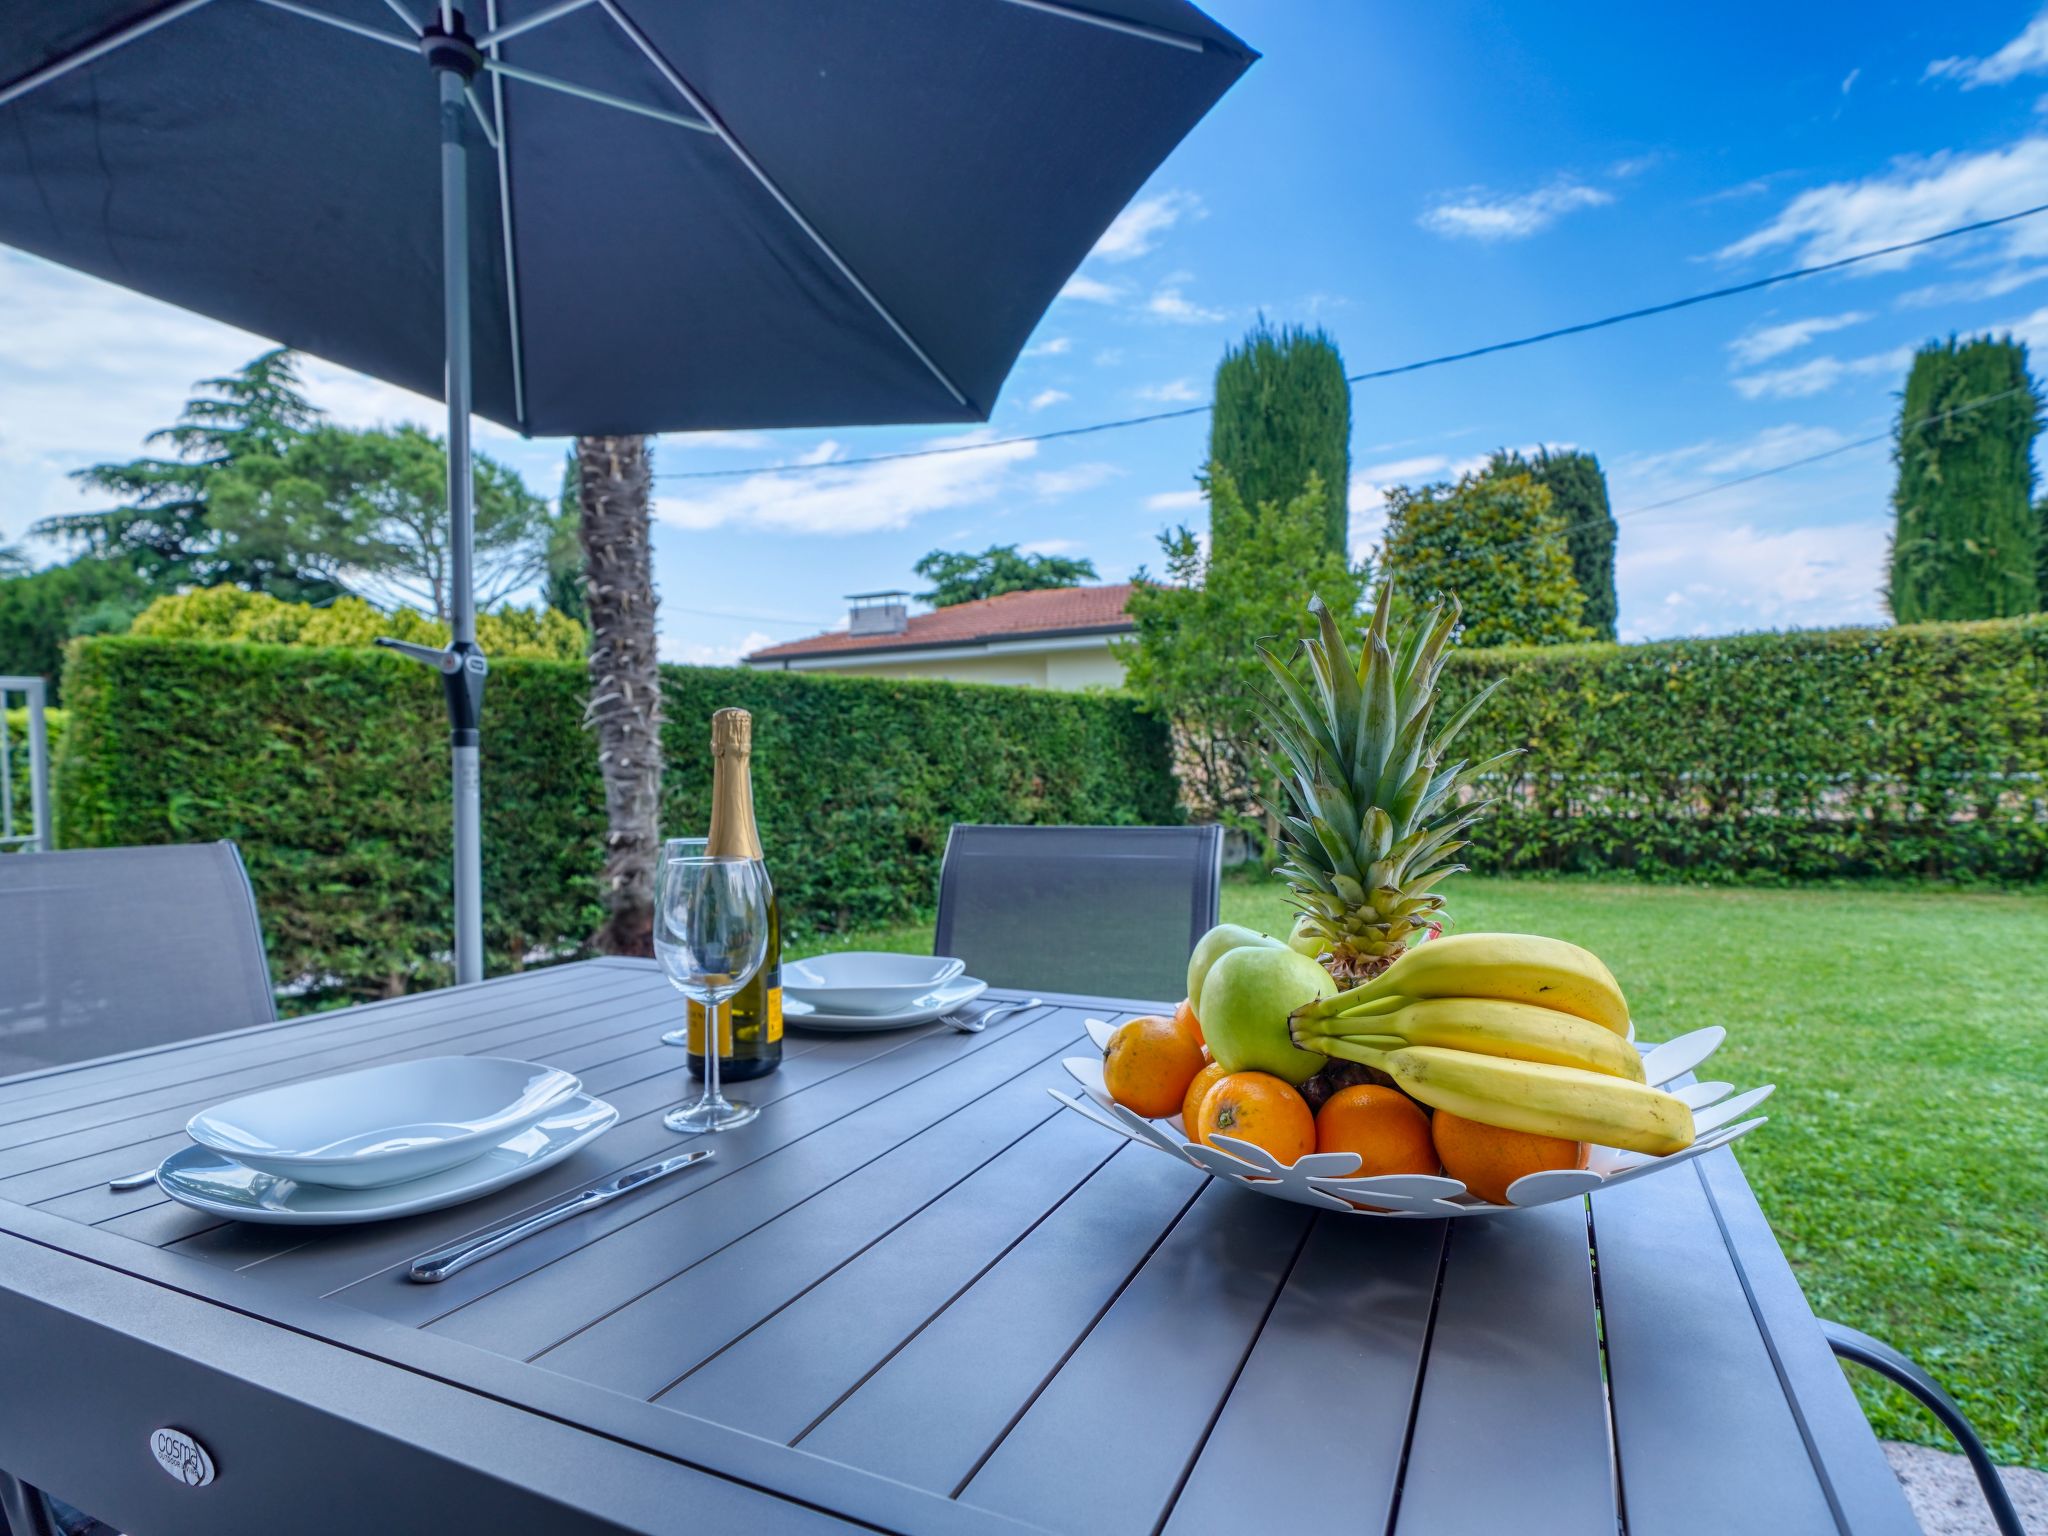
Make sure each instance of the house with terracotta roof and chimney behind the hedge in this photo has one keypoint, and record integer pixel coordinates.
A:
(1029, 640)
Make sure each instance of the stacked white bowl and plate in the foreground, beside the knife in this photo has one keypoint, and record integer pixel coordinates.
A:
(384, 1142)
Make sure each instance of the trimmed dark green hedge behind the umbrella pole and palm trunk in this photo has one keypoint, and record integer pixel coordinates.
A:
(329, 767)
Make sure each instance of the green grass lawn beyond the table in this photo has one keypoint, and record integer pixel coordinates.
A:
(1906, 1166)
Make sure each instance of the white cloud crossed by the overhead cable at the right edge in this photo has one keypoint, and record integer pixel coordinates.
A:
(1916, 198)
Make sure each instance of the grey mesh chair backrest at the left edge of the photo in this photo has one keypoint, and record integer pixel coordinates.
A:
(118, 949)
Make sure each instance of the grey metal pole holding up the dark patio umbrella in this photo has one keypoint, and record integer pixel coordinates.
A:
(464, 687)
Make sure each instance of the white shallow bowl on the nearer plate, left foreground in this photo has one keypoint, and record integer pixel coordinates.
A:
(382, 1125)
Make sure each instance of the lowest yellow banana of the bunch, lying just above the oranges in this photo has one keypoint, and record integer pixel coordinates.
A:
(1535, 1097)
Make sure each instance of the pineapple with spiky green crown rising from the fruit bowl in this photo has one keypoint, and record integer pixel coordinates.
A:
(1369, 812)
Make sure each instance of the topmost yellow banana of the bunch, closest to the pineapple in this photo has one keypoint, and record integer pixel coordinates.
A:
(1506, 968)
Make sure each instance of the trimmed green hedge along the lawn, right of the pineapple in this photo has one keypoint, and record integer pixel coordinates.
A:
(1916, 753)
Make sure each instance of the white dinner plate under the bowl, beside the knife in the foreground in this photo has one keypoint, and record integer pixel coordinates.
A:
(222, 1187)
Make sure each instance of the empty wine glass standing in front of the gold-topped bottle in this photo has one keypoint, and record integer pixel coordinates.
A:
(712, 937)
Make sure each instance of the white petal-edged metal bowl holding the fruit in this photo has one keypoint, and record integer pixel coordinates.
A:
(1324, 1179)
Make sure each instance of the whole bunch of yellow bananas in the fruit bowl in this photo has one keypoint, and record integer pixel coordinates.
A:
(1508, 1029)
